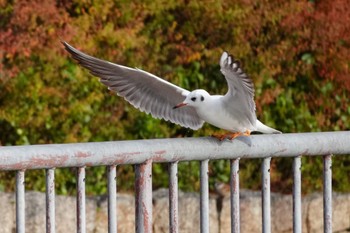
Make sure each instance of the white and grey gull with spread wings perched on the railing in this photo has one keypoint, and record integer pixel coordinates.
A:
(233, 112)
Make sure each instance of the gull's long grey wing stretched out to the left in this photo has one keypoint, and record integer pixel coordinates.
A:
(143, 90)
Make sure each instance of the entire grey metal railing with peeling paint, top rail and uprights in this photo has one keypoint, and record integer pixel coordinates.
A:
(145, 152)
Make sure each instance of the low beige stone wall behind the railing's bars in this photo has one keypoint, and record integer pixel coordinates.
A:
(188, 213)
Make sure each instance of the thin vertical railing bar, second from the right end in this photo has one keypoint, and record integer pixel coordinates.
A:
(297, 214)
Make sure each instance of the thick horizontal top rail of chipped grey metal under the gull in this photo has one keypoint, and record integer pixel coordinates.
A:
(172, 150)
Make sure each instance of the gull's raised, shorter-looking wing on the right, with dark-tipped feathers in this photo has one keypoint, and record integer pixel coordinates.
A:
(239, 100)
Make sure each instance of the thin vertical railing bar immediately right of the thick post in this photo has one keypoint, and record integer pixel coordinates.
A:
(173, 198)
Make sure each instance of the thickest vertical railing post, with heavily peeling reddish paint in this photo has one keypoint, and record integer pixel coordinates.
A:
(143, 197)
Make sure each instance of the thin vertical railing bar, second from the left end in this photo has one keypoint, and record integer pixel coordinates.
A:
(50, 200)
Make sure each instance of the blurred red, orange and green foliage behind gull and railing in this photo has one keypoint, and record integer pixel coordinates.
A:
(296, 52)
